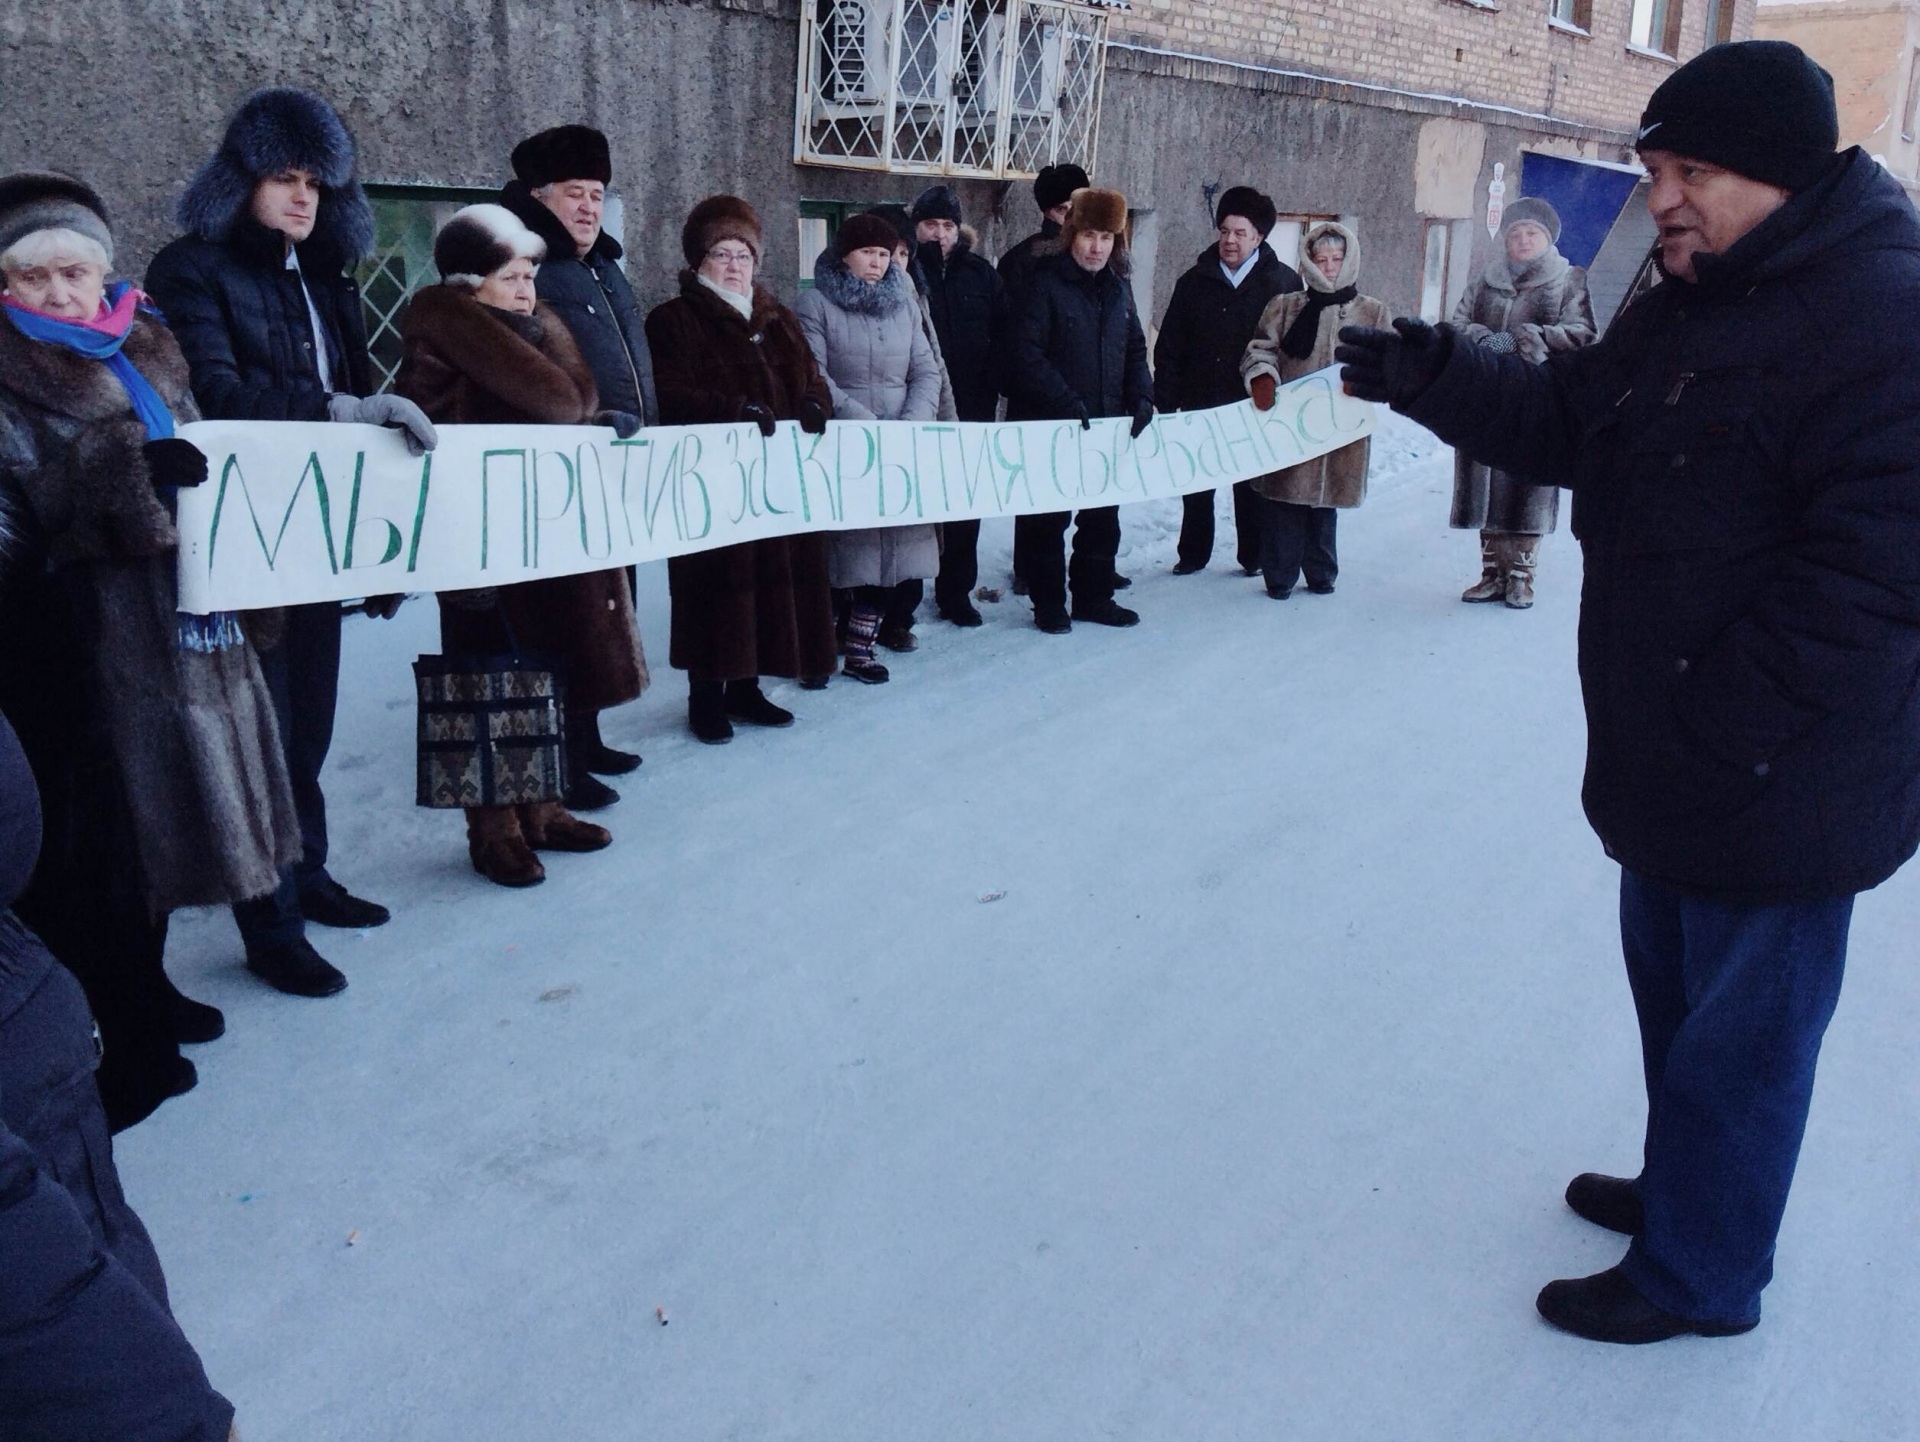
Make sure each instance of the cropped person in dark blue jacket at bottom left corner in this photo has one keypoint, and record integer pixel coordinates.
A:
(87, 1345)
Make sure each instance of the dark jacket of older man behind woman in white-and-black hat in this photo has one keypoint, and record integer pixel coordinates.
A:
(594, 300)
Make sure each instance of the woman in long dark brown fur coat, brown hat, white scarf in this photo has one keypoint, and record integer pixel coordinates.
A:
(725, 352)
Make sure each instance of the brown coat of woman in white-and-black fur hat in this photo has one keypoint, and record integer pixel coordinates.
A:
(469, 364)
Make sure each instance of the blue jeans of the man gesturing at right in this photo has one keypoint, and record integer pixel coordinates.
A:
(1733, 1003)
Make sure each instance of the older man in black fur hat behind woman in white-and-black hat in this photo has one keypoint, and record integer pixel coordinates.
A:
(560, 193)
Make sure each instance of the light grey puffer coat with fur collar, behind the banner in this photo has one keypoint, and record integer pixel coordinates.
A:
(878, 364)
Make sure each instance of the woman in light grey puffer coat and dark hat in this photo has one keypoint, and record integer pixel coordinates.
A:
(863, 325)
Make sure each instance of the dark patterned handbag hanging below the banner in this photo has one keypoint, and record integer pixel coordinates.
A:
(492, 731)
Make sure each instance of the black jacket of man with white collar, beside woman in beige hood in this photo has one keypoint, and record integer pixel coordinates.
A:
(1205, 333)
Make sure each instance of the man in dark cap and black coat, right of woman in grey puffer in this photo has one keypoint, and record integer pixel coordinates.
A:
(965, 299)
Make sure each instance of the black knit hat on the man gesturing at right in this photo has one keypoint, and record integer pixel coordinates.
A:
(1760, 108)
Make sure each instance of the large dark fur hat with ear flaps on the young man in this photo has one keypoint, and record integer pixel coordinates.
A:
(276, 132)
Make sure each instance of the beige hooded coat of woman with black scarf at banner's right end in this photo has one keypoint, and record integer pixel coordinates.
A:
(1337, 479)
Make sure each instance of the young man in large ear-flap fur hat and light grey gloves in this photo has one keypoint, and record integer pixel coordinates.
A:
(260, 299)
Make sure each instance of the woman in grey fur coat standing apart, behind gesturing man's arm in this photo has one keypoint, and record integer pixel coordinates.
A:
(1533, 302)
